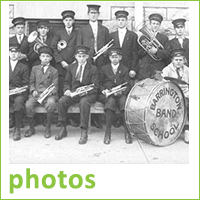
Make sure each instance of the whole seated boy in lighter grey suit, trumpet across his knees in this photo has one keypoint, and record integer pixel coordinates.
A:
(42, 76)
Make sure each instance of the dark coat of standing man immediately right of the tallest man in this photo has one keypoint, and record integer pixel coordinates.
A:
(129, 49)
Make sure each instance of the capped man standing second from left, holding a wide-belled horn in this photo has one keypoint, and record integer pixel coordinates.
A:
(45, 38)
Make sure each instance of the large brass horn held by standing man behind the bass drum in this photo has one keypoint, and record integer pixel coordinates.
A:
(147, 40)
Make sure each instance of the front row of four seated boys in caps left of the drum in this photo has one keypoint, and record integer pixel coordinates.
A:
(79, 73)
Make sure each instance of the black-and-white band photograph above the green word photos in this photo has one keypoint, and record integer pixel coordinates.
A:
(100, 82)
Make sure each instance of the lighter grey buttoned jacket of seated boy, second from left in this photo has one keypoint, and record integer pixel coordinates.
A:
(39, 81)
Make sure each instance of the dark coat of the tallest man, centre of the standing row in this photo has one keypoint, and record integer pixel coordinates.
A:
(86, 37)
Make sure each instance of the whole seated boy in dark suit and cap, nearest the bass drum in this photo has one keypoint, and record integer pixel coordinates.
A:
(110, 76)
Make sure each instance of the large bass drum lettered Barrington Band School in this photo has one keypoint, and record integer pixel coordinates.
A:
(155, 111)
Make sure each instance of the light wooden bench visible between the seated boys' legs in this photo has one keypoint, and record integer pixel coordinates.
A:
(96, 108)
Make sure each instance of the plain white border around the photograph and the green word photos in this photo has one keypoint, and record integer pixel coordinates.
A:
(112, 181)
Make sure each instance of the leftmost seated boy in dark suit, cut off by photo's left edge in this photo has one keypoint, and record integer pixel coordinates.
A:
(16, 102)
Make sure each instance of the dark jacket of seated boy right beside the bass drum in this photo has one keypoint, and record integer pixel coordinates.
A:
(108, 79)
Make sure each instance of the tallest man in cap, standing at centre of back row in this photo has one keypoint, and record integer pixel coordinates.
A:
(94, 36)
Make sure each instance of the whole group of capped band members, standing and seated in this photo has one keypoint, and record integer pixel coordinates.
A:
(68, 61)
